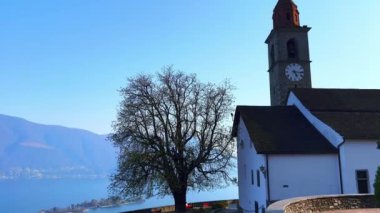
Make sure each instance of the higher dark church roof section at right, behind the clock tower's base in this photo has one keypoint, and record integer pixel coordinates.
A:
(353, 113)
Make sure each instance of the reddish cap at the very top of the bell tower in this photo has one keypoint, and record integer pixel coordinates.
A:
(285, 15)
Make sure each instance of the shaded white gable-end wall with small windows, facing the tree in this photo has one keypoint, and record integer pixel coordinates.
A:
(248, 160)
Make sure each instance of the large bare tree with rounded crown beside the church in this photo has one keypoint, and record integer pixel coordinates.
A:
(171, 135)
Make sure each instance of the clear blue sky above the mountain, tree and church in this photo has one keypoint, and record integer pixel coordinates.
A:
(62, 61)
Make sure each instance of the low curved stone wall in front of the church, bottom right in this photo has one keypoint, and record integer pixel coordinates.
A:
(322, 203)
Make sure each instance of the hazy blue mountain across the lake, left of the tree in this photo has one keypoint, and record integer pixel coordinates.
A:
(31, 150)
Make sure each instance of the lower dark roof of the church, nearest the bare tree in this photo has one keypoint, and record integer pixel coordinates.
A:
(281, 130)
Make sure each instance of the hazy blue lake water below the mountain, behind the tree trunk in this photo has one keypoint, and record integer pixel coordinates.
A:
(24, 196)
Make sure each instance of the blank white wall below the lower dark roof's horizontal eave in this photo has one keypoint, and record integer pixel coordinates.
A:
(304, 175)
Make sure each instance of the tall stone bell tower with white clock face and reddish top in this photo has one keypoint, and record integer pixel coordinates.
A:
(288, 52)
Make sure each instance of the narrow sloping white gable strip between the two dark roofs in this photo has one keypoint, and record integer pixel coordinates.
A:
(330, 134)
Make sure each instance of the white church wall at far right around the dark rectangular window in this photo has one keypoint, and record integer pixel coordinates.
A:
(358, 155)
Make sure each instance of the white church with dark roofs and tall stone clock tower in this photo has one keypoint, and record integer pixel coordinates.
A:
(310, 141)
